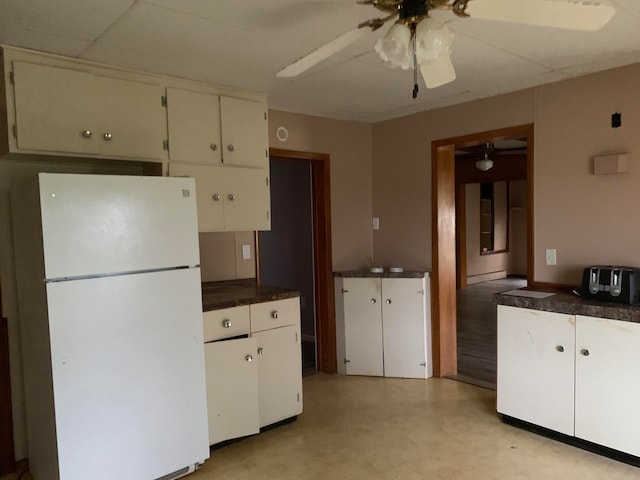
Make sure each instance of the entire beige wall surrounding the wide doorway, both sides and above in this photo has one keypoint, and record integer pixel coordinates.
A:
(587, 218)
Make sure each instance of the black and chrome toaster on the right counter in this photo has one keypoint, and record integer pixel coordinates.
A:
(613, 284)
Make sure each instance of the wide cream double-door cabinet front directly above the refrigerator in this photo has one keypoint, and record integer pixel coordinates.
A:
(66, 111)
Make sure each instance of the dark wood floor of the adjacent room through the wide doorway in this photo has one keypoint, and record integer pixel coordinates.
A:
(476, 330)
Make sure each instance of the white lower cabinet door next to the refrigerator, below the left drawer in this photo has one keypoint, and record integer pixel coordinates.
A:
(232, 388)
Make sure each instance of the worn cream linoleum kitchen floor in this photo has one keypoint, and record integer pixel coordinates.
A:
(396, 429)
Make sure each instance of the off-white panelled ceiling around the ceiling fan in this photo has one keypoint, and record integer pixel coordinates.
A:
(243, 43)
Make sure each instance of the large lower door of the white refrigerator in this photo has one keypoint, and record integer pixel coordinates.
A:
(128, 375)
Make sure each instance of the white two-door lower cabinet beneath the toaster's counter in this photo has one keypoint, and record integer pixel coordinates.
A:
(575, 375)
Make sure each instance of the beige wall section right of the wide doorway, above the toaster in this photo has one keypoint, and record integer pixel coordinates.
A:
(588, 219)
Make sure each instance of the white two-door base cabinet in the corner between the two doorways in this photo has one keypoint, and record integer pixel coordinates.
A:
(383, 326)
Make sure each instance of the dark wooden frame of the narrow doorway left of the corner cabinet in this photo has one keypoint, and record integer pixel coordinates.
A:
(323, 266)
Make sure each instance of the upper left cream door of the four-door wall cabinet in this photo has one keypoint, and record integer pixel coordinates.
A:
(194, 127)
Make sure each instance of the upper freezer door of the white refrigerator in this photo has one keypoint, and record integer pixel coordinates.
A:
(102, 224)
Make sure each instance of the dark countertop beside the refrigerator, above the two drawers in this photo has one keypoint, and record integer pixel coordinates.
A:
(234, 293)
